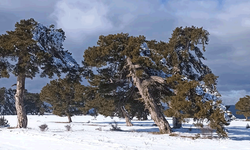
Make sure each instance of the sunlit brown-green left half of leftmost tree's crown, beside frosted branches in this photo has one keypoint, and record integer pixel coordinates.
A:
(19, 45)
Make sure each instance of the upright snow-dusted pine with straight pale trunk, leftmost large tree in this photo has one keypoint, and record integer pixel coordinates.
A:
(29, 49)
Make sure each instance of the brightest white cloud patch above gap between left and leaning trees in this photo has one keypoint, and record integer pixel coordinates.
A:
(81, 18)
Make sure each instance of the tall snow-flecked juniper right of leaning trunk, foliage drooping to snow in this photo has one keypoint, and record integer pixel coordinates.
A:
(193, 83)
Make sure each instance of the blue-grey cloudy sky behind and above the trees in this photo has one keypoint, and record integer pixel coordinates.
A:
(227, 21)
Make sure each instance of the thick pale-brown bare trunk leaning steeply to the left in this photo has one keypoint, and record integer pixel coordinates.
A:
(150, 103)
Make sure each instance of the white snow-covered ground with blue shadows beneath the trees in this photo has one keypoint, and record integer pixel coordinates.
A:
(90, 134)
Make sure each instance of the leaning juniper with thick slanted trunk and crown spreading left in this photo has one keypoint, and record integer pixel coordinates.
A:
(121, 52)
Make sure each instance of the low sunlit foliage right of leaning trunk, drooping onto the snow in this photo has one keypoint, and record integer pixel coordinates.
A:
(187, 103)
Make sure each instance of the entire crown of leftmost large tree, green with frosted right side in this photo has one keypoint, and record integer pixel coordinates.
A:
(27, 55)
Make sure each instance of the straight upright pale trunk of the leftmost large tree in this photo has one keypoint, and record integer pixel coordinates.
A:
(19, 96)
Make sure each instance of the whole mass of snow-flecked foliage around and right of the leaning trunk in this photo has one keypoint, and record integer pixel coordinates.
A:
(183, 72)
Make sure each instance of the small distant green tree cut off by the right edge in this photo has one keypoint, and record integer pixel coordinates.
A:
(243, 105)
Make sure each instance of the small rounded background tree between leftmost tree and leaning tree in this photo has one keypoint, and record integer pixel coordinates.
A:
(65, 96)
